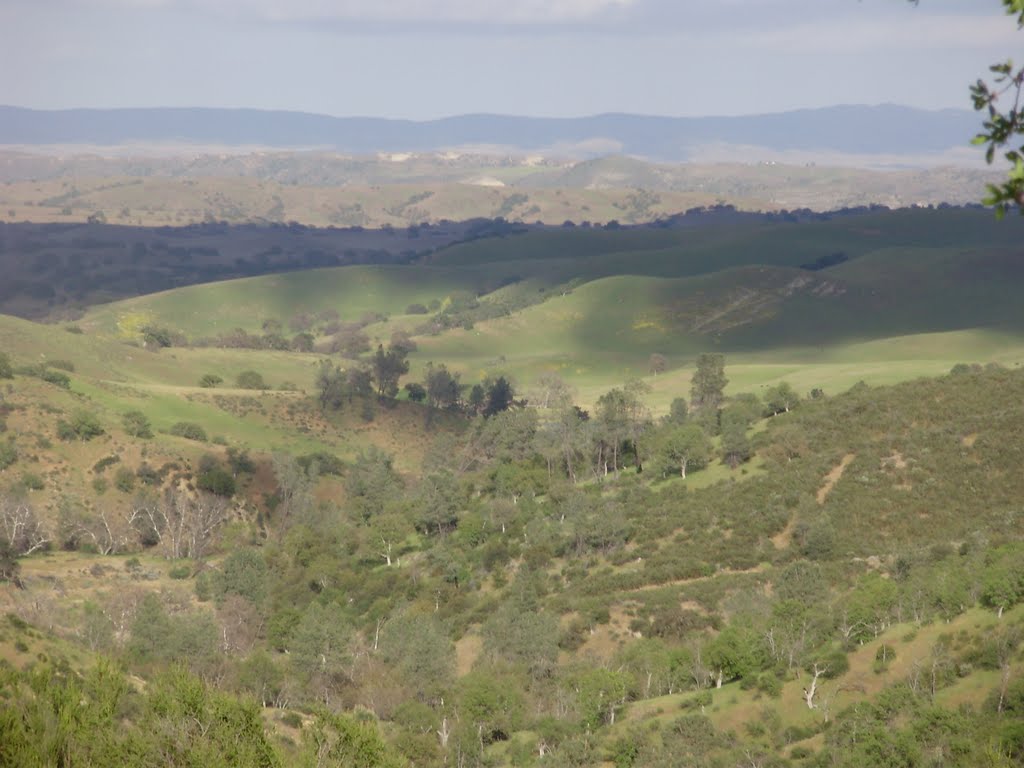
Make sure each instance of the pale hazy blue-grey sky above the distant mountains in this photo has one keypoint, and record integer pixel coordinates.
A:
(428, 59)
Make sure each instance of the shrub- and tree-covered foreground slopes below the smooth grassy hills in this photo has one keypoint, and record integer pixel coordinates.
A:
(552, 571)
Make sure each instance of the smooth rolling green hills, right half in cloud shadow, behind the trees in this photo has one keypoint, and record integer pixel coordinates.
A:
(912, 293)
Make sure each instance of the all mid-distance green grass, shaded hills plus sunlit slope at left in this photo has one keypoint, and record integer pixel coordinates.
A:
(921, 292)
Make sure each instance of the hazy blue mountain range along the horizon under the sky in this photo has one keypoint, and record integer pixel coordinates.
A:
(857, 131)
